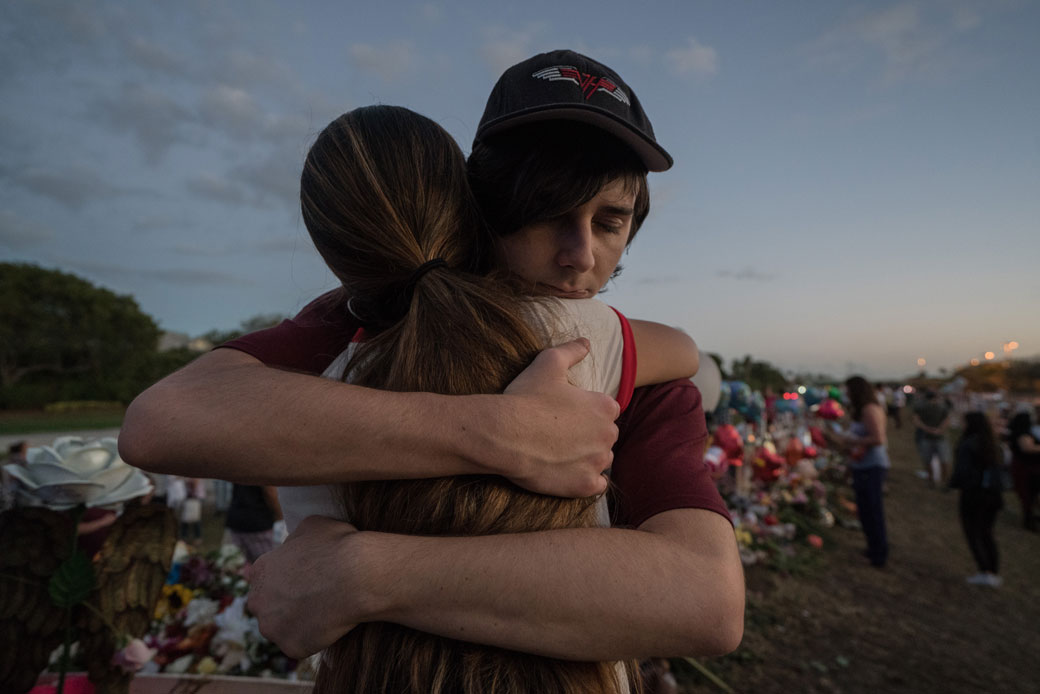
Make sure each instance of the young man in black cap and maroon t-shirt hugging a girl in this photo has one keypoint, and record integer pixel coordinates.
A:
(560, 167)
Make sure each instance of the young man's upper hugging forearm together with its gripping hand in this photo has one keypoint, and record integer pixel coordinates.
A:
(227, 416)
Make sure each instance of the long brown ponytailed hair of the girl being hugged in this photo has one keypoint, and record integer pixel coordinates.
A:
(384, 192)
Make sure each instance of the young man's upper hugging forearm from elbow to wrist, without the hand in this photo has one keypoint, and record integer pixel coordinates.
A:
(229, 417)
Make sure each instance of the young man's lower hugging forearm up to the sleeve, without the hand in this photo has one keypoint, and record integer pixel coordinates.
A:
(580, 595)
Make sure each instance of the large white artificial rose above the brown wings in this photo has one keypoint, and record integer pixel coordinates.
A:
(75, 471)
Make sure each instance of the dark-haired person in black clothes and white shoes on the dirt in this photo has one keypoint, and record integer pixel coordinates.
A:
(978, 473)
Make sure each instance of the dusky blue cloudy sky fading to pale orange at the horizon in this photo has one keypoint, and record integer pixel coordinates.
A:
(856, 187)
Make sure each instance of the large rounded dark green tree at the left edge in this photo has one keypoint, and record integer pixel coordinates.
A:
(65, 339)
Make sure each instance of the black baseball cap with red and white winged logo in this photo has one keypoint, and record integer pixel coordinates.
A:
(570, 87)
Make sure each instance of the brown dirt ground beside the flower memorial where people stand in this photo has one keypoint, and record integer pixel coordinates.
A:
(914, 627)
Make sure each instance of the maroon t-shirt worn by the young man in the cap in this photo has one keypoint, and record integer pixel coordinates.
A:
(659, 462)
